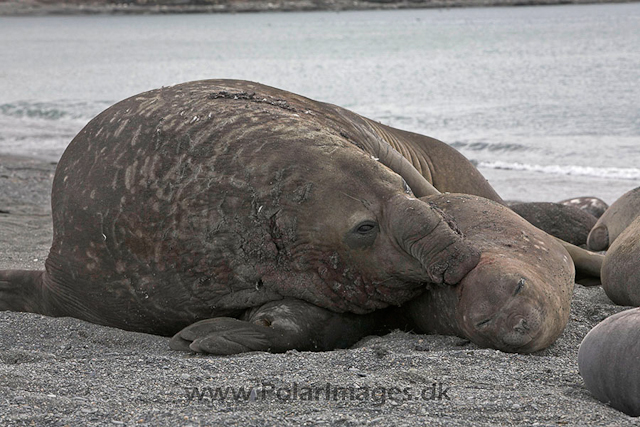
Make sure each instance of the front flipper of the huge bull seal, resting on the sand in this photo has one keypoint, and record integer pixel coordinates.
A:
(276, 327)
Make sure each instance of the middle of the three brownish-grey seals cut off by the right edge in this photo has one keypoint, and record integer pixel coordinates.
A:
(621, 267)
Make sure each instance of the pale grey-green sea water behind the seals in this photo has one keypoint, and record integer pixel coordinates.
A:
(543, 99)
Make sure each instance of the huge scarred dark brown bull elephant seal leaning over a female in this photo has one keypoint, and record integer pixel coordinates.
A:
(246, 217)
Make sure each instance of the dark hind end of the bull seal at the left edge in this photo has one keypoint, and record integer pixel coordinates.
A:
(20, 290)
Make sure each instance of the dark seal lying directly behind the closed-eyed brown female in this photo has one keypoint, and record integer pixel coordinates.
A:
(566, 222)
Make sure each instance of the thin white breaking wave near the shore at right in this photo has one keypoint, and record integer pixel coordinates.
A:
(611, 173)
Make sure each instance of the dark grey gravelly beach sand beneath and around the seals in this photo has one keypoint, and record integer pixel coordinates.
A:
(68, 372)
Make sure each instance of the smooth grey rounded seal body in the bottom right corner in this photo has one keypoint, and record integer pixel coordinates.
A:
(608, 361)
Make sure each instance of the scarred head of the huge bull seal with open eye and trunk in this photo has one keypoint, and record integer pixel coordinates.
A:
(350, 234)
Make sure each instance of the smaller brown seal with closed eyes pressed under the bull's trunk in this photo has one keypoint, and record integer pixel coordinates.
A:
(518, 297)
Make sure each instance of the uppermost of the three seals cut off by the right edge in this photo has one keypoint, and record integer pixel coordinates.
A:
(613, 222)
